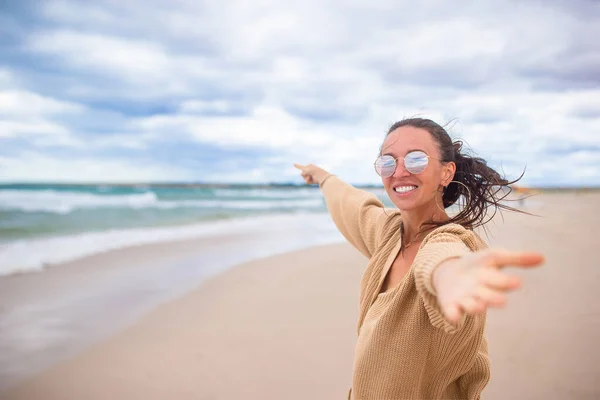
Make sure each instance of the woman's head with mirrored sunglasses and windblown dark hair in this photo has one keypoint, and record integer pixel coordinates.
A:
(457, 175)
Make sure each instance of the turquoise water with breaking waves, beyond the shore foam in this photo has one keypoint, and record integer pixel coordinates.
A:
(32, 211)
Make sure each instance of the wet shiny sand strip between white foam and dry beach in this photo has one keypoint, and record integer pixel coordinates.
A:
(56, 313)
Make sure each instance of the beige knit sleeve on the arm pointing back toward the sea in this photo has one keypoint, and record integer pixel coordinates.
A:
(358, 214)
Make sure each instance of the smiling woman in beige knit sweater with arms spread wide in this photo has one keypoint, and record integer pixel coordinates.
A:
(430, 278)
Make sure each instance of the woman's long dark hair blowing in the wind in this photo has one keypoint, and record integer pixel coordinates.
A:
(483, 189)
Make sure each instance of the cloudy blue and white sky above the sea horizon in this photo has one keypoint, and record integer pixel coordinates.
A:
(236, 90)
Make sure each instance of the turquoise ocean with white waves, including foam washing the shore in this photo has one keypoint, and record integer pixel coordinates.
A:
(45, 224)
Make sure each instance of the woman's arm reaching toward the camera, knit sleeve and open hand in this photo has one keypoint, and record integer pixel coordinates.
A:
(456, 277)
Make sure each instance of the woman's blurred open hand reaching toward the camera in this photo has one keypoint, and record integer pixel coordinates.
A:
(474, 282)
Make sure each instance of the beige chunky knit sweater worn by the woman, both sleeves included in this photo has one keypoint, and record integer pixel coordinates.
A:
(406, 349)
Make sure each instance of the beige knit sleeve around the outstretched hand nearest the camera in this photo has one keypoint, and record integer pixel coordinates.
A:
(450, 241)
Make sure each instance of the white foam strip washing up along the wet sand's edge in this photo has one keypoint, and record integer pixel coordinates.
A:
(35, 254)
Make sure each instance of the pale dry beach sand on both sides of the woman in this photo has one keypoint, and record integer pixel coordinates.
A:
(284, 327)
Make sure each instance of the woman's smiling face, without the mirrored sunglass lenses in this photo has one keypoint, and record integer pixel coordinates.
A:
(423, 188)
